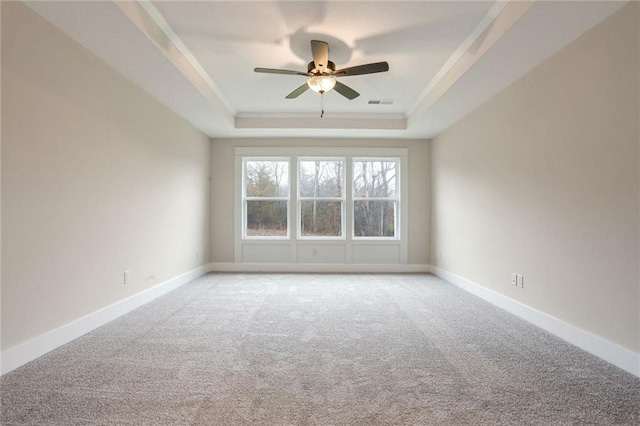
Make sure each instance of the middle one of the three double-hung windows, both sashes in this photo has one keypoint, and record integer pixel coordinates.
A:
(320, 198)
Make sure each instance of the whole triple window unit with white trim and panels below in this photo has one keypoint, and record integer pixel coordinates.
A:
(311, 204)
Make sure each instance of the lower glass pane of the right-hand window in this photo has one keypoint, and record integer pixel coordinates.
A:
(374, 218)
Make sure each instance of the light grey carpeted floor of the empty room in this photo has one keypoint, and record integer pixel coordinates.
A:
(232, 349)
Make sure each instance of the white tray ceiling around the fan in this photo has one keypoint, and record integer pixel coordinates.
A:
(445, 58)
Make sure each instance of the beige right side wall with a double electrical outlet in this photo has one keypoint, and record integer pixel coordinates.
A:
(543, 180)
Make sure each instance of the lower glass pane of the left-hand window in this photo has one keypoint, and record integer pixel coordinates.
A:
(266, 218)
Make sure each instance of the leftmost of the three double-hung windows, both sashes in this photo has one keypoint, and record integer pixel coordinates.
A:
(266, 197)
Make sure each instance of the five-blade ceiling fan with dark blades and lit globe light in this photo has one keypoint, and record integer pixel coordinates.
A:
(322, 73)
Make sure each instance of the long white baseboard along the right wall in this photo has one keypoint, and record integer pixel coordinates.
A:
(608, 351)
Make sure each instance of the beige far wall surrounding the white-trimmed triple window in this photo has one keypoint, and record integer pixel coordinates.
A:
(222, 178)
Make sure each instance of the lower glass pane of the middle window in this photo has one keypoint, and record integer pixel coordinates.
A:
(321, 218)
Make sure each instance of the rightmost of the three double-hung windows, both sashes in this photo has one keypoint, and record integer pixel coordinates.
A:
(375, 197)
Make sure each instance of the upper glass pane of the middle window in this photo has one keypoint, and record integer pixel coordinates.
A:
(321, 178)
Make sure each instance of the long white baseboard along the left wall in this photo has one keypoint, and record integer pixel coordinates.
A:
(19, 355)
